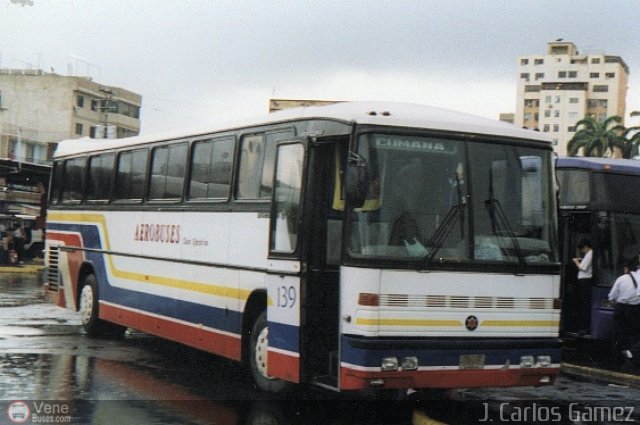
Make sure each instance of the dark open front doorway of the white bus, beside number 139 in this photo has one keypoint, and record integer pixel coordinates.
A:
(323, 221)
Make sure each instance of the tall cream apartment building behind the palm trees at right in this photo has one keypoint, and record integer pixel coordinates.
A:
(560, 88)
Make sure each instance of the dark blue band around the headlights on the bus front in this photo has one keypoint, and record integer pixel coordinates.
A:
(440, 357)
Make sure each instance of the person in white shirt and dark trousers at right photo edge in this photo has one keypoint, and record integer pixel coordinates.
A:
(626, 296)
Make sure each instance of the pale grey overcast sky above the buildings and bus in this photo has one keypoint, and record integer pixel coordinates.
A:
(201, 62)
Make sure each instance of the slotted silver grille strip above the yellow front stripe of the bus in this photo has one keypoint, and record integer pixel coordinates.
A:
(461, 301)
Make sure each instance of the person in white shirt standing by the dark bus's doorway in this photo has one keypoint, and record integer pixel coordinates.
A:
(583, 286)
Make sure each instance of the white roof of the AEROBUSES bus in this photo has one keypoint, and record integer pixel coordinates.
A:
(374, 113)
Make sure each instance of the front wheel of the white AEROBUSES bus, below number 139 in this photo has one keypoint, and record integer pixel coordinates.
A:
(258, 358)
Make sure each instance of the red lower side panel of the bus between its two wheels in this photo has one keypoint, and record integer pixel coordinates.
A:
(201, 338)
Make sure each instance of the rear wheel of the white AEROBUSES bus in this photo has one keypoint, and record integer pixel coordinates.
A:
(89, 311)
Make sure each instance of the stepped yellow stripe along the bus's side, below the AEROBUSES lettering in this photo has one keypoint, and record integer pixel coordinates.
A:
(221, 291)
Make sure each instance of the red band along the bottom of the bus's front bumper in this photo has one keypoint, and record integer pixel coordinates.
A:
(351, 379)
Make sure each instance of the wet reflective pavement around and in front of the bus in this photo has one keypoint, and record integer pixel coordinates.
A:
(51, 371)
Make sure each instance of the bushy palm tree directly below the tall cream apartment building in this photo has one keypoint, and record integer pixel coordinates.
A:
(596, 138)
